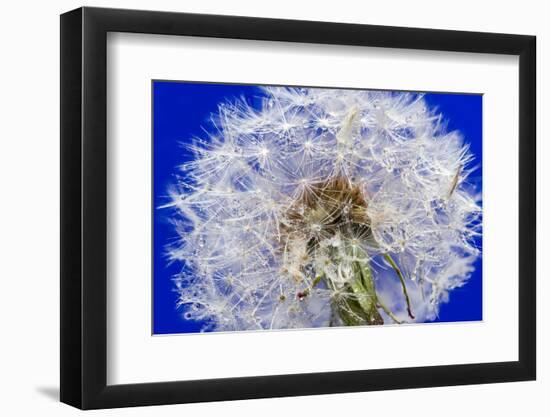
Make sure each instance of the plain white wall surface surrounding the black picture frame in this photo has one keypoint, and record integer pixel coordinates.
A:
(29, 219)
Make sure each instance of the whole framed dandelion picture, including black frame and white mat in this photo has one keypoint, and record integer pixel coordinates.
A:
(258, 208)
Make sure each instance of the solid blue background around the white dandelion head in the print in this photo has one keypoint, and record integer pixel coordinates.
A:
(180, 109)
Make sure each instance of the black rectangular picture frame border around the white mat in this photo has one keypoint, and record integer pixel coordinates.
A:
(84, 207)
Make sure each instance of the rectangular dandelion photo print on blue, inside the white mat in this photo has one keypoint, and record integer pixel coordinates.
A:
(291, 207)
